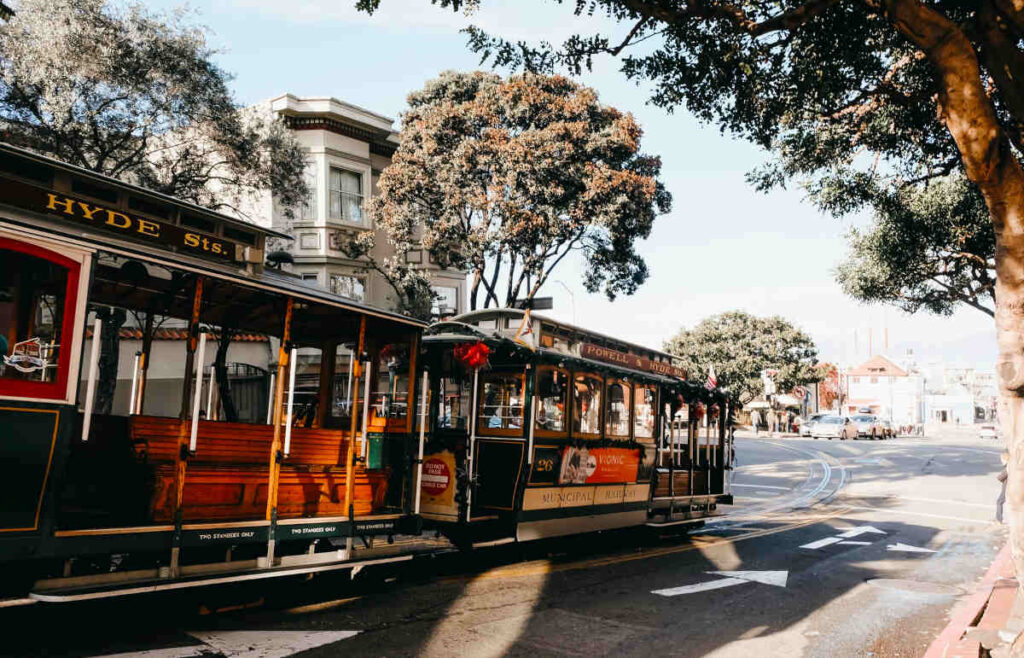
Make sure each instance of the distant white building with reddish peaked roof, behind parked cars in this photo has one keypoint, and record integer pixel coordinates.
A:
(887, 390)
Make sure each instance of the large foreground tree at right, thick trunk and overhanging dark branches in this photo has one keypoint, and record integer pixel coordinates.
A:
(856, 98)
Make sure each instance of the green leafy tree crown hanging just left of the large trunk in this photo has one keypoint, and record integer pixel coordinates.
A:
(929, 248)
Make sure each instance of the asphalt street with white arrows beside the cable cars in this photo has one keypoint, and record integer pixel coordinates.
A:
(833, 549)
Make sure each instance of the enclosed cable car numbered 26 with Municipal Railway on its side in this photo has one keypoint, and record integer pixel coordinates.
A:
(539, 429)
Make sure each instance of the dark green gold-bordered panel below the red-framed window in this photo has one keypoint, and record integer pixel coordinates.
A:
(27, 440)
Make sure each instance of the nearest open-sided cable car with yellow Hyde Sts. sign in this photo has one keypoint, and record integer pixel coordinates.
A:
(173, 412)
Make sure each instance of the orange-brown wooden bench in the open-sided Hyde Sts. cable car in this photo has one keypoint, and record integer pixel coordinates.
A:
(228, 478)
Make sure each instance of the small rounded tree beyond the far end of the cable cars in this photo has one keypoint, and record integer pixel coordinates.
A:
(742, 346)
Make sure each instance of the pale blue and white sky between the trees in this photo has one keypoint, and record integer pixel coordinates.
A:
(723, 247)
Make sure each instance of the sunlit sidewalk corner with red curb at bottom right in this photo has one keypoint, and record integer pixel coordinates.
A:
(989, 621)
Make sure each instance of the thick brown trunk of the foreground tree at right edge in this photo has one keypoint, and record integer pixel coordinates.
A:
(986, 151)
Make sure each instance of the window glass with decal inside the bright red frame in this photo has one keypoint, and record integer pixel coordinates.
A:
(33, 292)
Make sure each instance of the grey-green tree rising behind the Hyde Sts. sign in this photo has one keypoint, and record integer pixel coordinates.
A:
(135, 96)
